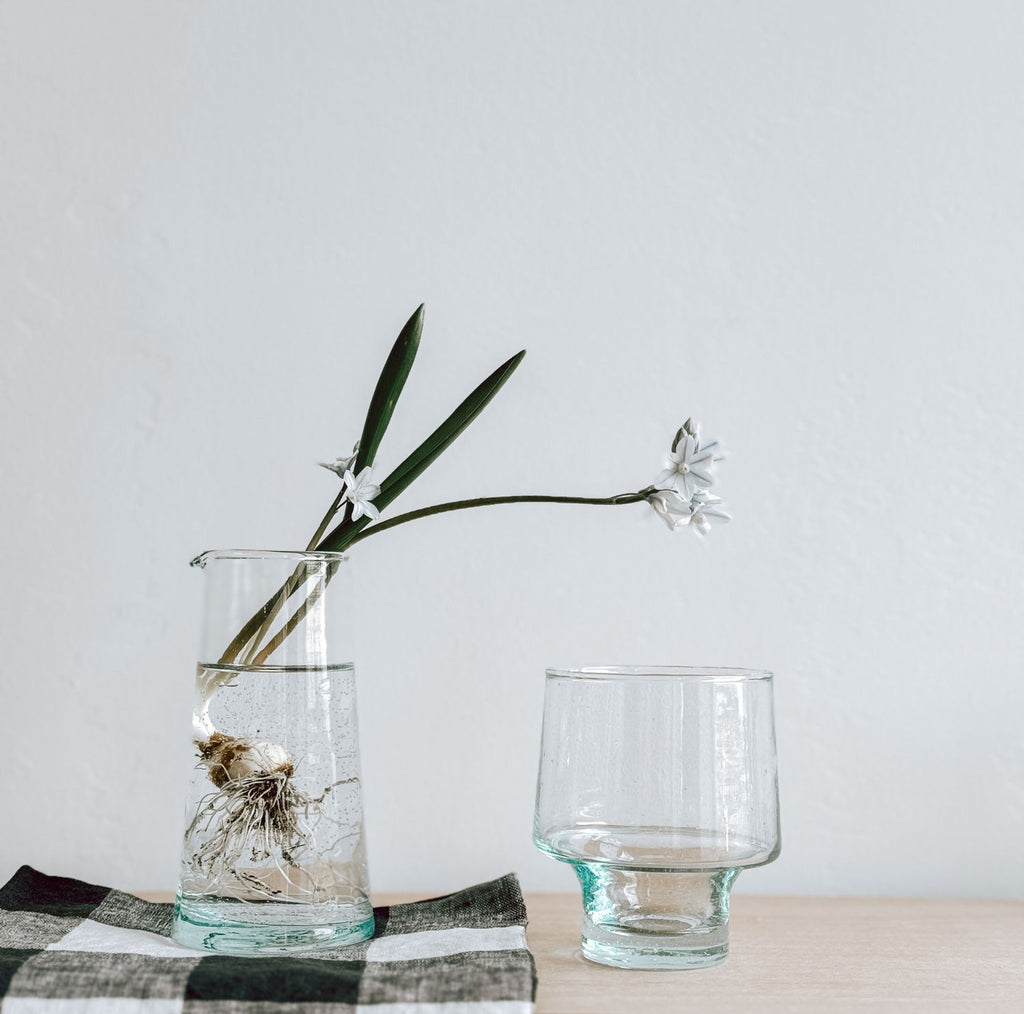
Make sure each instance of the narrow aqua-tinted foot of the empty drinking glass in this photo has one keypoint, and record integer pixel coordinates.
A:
(655, 919)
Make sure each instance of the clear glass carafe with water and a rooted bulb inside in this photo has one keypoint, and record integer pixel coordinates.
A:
(274, 858)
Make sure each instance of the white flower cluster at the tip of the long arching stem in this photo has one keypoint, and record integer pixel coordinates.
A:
(680, 495)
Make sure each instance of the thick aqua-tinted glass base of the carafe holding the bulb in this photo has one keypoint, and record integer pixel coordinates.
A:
(229, 926)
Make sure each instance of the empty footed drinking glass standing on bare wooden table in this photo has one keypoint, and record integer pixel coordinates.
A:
(658, 785)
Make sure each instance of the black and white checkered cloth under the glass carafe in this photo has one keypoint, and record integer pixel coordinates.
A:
(67, 947)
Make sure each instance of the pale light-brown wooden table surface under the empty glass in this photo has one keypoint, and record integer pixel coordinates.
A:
(797, 954)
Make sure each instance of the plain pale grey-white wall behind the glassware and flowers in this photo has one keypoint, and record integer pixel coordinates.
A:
(800, 223)
